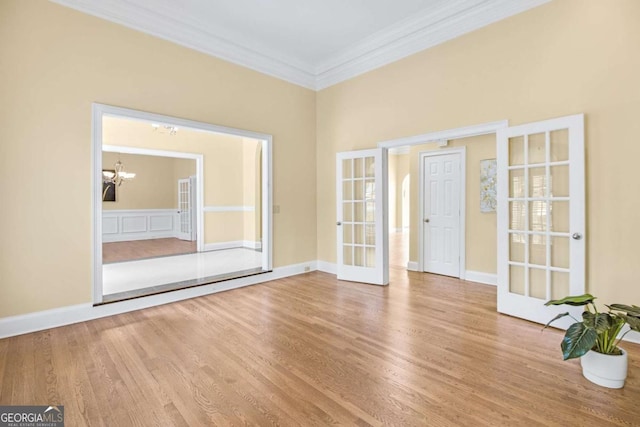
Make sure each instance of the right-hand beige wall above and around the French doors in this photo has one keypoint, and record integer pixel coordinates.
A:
(562, 58)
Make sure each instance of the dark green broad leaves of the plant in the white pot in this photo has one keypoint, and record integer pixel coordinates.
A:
(597, 331)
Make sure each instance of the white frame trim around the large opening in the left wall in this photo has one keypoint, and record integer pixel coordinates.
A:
(98, 111)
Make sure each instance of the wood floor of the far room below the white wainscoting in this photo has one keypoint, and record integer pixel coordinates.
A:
(141, 249)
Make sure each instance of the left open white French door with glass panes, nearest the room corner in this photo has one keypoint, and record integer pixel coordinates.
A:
(362, 238)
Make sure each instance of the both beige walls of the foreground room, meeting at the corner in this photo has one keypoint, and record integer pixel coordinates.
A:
(565, 57)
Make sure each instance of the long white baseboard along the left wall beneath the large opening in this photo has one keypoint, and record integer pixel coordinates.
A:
(41, 320)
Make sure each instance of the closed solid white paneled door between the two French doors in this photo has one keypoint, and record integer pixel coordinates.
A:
(441, 213)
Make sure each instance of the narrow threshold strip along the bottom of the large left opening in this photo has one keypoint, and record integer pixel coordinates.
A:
(176, 286)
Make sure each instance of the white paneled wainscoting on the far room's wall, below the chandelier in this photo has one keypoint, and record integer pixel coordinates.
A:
(138, 224)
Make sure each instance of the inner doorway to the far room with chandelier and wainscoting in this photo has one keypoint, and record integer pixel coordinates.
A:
(151, 214)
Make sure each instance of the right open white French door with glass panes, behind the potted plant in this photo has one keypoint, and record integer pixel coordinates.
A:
(541, 216)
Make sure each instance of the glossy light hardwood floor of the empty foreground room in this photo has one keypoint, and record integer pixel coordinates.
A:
(312, 350)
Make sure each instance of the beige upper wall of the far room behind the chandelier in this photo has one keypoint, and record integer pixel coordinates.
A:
(154, 186)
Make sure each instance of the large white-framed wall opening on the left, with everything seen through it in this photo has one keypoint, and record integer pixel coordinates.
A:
(177, 203)
